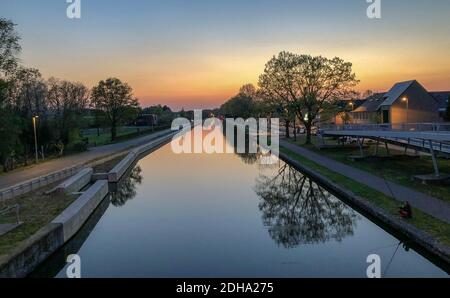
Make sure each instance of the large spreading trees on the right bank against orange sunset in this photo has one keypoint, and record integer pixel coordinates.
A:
(295, 87)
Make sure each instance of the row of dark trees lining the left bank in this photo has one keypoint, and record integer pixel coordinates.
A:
(55, 108)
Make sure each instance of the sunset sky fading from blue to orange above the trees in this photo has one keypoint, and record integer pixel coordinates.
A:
(197, 53)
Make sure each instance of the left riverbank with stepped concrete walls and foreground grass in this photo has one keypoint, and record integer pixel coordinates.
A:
(22, 250)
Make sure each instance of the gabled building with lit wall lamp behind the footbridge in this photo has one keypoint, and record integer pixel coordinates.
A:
(406, 102)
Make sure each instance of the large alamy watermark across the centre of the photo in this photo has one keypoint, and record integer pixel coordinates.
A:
(251, 136)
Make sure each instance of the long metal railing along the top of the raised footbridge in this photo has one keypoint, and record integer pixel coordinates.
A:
(405, 127)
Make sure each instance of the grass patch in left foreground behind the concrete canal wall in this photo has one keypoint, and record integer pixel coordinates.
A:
(36, 210)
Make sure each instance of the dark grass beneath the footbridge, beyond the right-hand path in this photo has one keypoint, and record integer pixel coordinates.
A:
(399, 171)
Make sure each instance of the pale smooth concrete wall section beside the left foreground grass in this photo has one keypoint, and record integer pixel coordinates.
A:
(76, 214)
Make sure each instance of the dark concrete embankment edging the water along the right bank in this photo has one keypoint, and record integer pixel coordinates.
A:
(424, 240)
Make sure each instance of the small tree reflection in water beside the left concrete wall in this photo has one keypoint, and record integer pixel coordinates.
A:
(126, 189)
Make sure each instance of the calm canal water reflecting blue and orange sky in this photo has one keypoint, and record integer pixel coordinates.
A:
(225, 215)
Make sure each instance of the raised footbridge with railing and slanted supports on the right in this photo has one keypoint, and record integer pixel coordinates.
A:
(432, 138)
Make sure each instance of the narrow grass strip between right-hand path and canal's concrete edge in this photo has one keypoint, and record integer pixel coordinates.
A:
(420, 220)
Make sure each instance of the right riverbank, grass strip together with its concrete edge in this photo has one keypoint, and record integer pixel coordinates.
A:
(431, 234)
